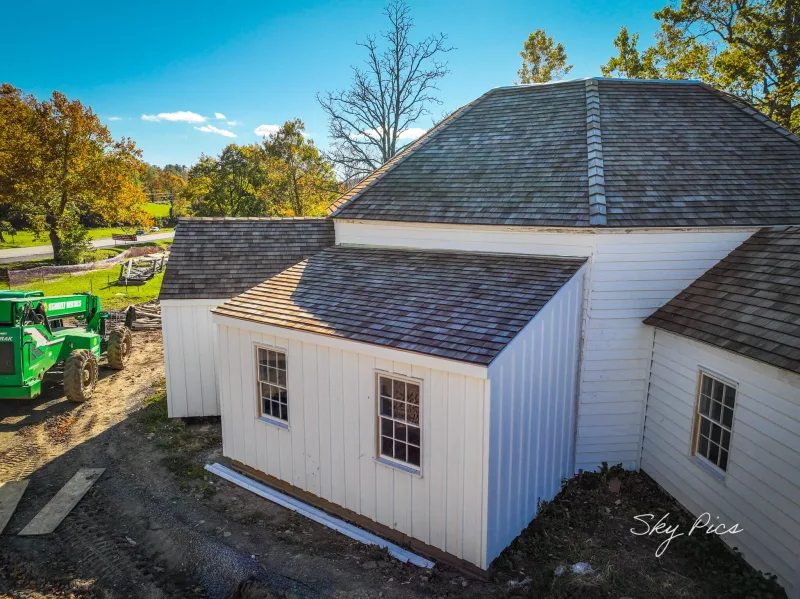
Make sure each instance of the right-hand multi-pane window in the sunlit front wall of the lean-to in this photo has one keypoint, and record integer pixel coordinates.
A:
(399, 436)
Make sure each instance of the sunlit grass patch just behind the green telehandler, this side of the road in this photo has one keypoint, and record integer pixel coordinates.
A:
(101, 283)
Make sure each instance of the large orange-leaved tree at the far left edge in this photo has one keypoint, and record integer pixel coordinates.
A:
(58, 163)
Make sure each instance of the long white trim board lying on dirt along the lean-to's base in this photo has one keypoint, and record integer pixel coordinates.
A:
(318, 516)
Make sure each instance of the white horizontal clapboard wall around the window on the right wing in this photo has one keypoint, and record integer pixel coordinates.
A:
(761, 490)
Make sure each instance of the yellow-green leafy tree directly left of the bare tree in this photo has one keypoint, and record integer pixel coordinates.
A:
(302, 183)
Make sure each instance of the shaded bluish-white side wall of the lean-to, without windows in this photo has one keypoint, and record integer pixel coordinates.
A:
(533, 410)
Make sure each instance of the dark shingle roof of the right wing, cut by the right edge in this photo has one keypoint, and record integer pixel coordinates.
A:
(749, 303)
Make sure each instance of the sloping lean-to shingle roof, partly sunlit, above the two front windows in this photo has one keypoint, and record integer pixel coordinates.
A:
(455, 305)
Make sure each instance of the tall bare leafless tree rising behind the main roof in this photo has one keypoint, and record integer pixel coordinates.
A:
(372, 120)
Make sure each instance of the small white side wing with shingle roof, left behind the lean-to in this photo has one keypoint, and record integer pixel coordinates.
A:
(211, 260)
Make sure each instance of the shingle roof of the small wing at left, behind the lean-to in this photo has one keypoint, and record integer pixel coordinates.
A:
(215, 258)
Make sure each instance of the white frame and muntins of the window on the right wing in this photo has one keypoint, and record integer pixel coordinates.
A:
(698, 418)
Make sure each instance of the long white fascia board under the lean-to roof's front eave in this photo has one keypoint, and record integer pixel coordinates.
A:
(385, 353)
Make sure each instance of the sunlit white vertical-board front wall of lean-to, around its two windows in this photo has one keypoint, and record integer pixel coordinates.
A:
(330, 446)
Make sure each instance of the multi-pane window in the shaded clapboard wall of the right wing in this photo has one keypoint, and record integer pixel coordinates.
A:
(714, 420)
